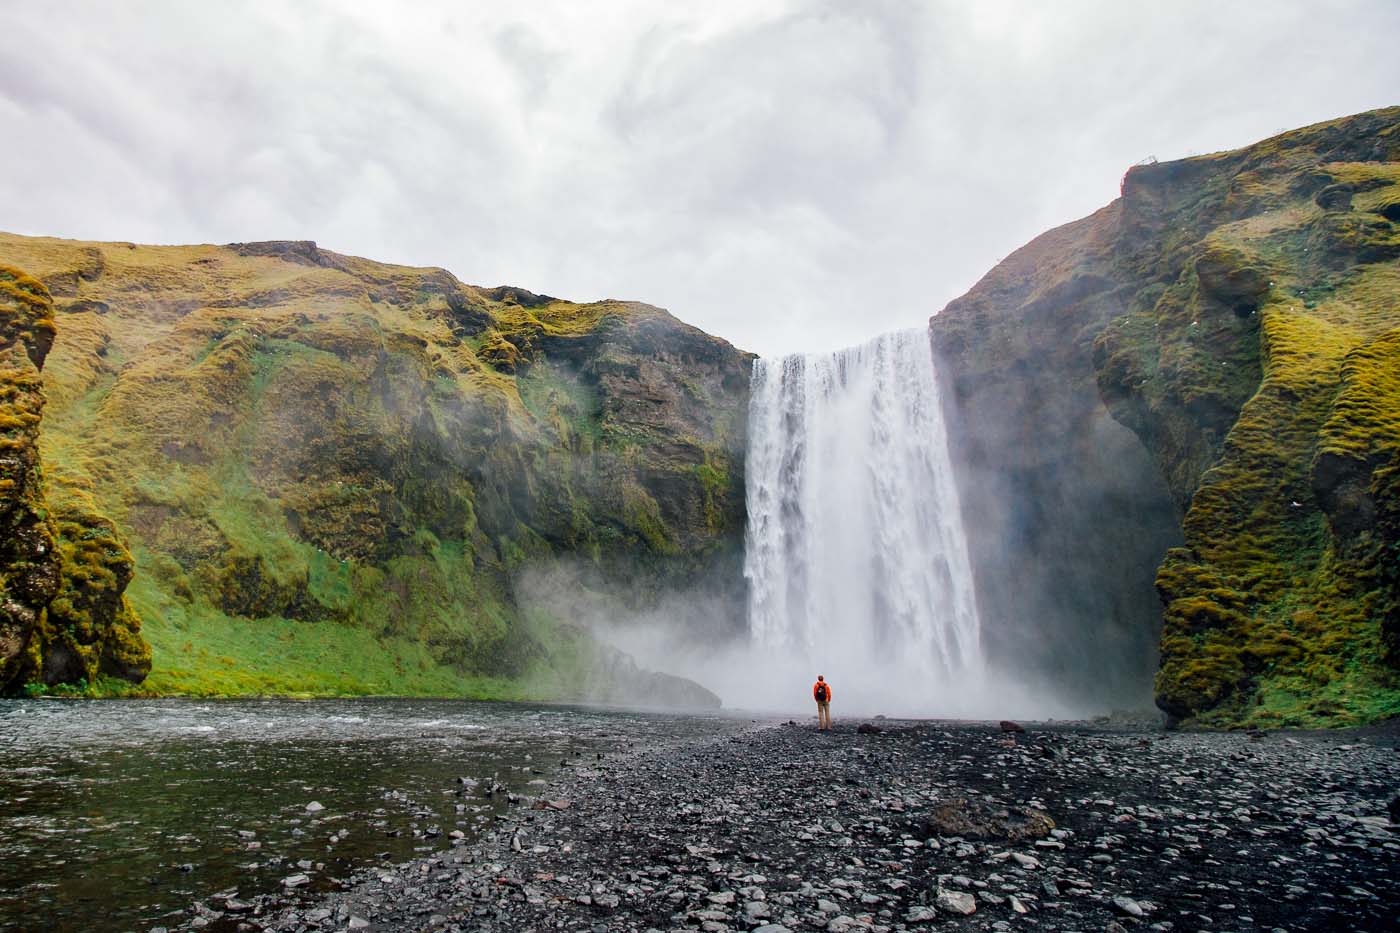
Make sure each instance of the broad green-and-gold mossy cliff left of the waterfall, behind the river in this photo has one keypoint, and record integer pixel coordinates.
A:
(332, 473)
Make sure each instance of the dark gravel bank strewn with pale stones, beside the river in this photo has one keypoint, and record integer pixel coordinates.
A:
(920, 827)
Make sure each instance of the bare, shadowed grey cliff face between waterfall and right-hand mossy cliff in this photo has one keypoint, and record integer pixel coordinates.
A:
(1067, 516)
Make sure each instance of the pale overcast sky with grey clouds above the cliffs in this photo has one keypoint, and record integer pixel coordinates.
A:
(790, 176)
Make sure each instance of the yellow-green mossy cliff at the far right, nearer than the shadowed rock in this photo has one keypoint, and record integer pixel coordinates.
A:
(1273, 411)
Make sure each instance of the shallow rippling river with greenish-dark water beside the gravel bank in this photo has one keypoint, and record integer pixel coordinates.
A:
(120, 815)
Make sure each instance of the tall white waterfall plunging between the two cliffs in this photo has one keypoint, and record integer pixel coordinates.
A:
(856, 554)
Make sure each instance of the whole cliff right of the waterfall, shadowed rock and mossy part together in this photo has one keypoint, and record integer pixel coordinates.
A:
(1241, 315)
